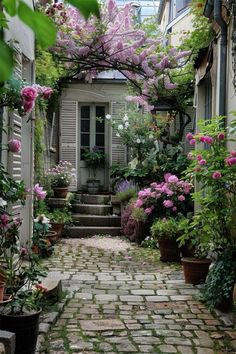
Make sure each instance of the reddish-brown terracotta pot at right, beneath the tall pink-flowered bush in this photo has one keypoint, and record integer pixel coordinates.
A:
(195, 270)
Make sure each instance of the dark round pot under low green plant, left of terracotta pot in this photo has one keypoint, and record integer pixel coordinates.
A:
(169, 250)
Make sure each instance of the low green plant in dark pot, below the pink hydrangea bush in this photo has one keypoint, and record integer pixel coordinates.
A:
(166, 232)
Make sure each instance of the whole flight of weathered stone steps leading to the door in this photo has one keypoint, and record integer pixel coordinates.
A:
(95, 215)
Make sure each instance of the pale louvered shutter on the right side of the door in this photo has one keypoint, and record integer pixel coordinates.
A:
(118, 149)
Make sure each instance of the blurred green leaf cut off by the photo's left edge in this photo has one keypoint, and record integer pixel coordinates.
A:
(6, 61)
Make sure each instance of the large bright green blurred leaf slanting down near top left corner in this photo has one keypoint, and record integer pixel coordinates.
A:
(43, 27)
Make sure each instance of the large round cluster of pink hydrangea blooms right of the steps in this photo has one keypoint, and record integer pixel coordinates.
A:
(167, 197)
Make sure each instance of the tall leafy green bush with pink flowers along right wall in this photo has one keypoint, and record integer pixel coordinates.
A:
(214, 167)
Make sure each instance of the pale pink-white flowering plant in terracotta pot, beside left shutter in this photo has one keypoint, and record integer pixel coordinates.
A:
(60, 178)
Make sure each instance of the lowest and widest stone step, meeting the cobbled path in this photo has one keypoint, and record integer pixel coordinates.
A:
(84, 231)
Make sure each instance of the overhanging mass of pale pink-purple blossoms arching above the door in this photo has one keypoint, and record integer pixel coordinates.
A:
(115, 42)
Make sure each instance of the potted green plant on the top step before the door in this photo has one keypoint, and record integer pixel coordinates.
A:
(94, 160)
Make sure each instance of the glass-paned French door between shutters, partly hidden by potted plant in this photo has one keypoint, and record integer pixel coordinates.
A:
(92, 132)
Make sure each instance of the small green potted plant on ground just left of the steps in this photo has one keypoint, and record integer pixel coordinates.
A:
(58, 218)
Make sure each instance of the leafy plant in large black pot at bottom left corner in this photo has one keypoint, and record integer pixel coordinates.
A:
(20, 315)
